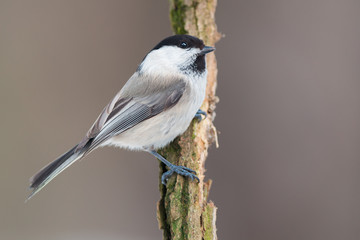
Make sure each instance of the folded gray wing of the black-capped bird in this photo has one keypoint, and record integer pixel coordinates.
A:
(127, 110)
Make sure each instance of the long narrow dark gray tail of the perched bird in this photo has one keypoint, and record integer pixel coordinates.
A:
(50, 171)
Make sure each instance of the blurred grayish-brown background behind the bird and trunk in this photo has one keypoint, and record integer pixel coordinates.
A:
(288, 166)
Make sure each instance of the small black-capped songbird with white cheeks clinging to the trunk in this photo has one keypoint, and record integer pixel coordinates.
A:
(156, 105)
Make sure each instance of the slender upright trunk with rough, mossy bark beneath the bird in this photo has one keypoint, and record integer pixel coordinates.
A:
(183, 210)
